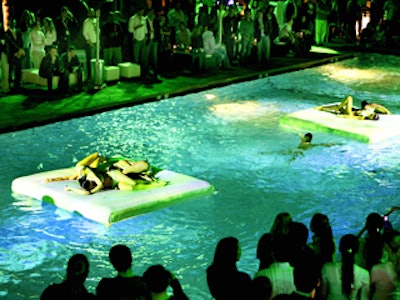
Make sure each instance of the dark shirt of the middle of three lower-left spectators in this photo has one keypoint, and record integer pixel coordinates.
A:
(121, 288)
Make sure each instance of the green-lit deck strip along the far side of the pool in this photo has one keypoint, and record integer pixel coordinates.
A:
(33, 107)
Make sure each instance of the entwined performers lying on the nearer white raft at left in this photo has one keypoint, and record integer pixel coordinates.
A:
(96, 172)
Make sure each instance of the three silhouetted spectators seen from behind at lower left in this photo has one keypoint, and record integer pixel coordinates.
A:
(153, 285)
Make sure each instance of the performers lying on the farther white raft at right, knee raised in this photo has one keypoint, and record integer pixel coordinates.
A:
(346, 110)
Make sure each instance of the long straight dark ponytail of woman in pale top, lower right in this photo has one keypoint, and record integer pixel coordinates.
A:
(348, 247)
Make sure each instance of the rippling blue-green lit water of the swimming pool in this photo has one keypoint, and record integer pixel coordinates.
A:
(228, 136)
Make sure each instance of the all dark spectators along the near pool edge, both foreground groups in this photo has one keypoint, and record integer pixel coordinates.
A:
(365, 265)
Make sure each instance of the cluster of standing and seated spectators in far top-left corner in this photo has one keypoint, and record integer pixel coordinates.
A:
(27, 45)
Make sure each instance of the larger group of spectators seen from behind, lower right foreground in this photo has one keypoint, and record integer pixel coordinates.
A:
(290, 267)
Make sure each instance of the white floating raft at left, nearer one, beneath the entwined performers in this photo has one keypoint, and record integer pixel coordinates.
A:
(110, 206)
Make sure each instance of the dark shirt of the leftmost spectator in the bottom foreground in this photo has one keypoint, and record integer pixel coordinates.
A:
(64, 291)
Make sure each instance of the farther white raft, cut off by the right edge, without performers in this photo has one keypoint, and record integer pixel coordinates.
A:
(367, 131)
